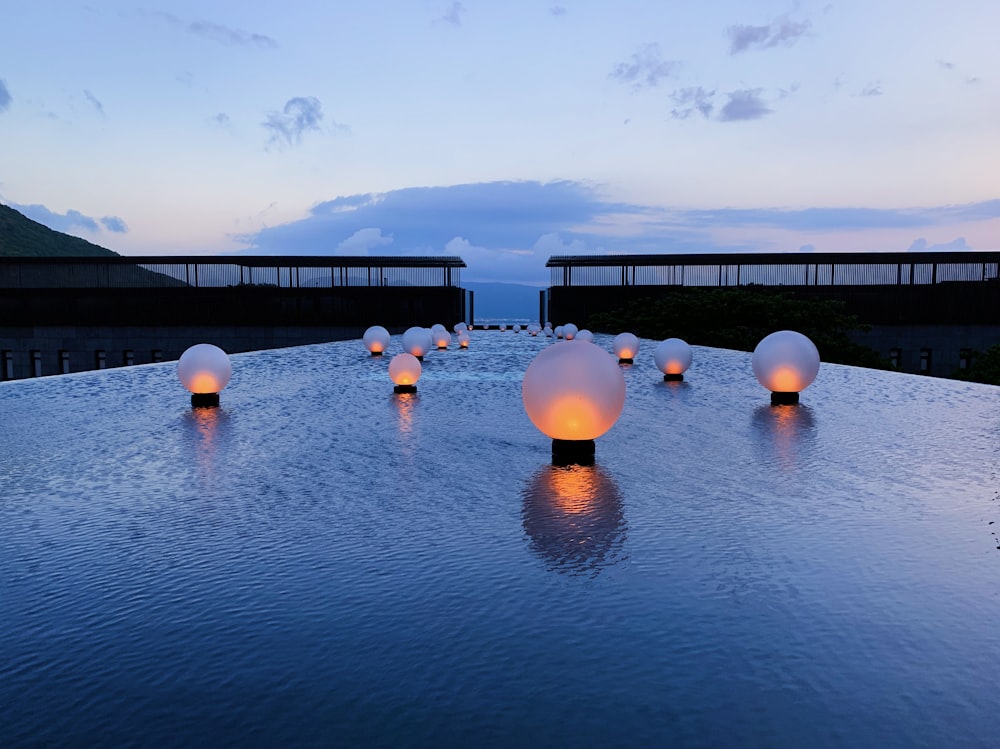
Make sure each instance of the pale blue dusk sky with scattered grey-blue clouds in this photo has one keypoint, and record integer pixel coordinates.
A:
(504, 132)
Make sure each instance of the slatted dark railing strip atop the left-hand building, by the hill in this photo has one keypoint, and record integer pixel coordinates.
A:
(215, 272)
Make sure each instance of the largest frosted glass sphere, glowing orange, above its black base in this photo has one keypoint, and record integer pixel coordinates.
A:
(574, 391)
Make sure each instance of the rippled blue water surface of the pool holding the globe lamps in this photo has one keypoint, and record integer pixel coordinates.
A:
(321, 562)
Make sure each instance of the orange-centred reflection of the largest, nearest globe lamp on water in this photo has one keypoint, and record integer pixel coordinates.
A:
(574, 518)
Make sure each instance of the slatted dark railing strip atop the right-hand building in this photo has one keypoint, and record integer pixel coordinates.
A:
(775, 269)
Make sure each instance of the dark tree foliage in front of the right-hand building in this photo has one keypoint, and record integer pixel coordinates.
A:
(740, 318)
